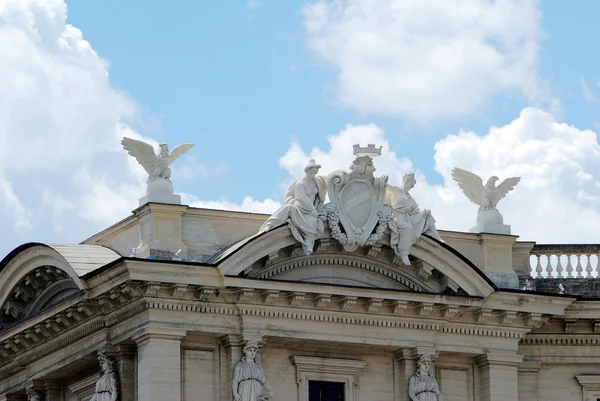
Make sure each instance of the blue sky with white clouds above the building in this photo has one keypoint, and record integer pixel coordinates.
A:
(506, 87)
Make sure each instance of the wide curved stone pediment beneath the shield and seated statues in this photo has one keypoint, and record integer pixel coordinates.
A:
(277, 255)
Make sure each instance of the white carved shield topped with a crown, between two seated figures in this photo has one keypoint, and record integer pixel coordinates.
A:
(356, 214)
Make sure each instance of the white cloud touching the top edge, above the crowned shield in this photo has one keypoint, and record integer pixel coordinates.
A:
(427, 59)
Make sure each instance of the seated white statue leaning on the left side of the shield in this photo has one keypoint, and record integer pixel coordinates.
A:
(303, 208)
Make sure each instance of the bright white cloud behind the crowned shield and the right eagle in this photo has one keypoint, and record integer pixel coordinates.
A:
(557, 200)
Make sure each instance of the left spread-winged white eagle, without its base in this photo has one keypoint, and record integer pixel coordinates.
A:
(155, 164)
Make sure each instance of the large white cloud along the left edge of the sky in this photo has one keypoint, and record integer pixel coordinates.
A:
(63, 172)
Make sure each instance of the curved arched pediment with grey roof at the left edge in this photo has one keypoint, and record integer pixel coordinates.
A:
(35, 276)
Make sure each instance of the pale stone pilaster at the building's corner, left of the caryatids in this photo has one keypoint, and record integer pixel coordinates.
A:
(159, 365)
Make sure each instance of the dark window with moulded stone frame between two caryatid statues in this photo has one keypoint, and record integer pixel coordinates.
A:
(332, 373)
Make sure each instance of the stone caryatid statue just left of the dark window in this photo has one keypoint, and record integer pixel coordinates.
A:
(249, 377)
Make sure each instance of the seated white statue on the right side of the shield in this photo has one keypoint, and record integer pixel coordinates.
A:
(409, 220)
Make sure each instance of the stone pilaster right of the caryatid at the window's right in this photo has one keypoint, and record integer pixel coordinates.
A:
(498, 373)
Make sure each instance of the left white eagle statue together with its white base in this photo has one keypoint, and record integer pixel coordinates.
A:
(159, 185)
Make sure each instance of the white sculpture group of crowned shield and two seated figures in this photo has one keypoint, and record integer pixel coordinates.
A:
(361, 207)
